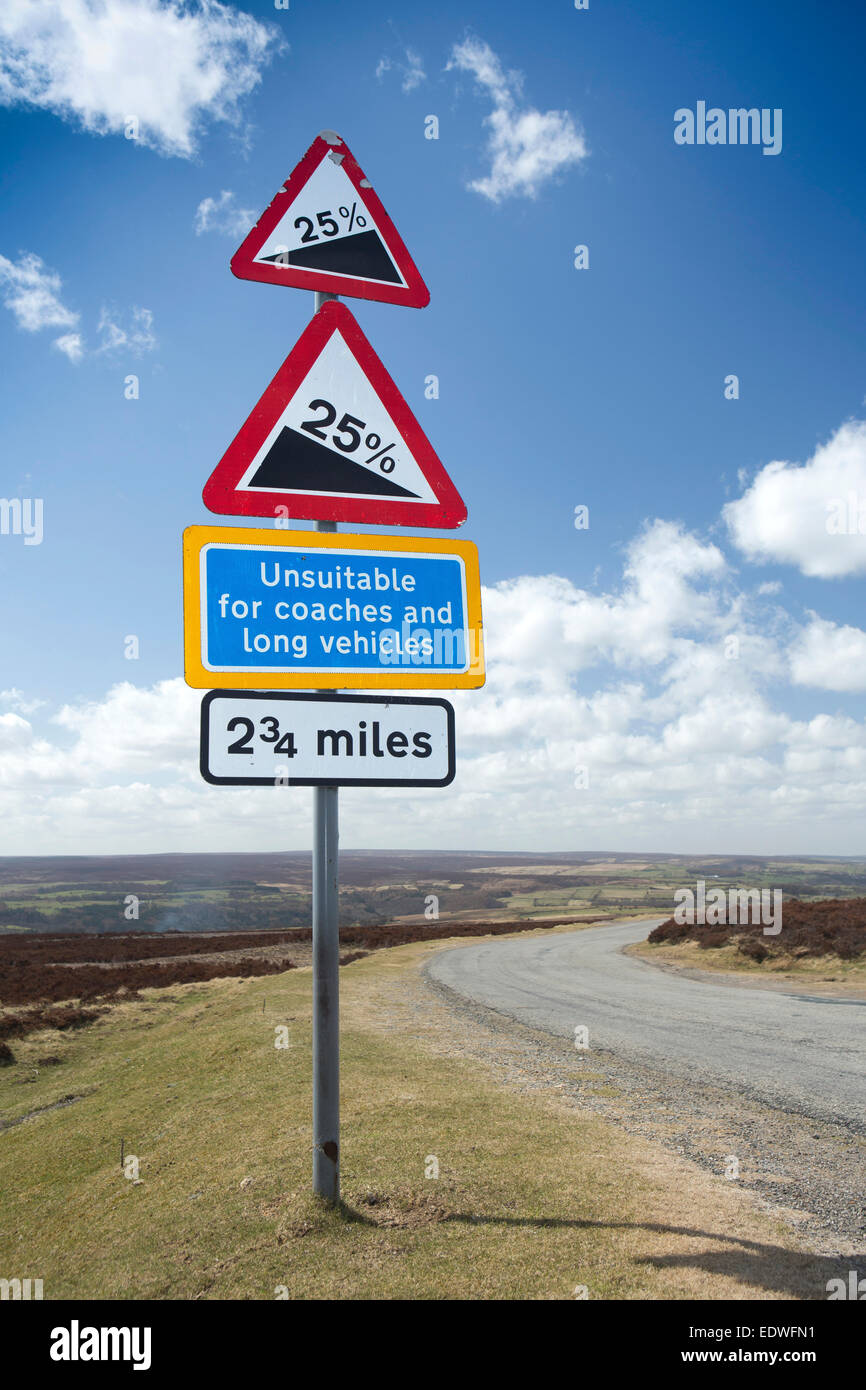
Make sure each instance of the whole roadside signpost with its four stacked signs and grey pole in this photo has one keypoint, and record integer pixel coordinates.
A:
(270, 612)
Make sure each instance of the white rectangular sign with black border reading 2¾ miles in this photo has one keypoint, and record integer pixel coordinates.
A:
(258, 739)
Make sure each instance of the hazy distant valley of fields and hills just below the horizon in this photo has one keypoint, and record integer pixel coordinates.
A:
(254, 893)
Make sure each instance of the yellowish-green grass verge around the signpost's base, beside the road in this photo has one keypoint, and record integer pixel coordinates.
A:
(455, 1186)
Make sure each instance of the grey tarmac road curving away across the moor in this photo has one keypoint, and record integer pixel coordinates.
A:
(792, 1052)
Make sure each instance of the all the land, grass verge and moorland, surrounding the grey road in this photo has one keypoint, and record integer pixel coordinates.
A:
(181, 1042)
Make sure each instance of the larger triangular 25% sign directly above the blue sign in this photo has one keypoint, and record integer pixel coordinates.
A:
(333, 440)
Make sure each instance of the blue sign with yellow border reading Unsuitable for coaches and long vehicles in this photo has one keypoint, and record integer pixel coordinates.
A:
(329, 607)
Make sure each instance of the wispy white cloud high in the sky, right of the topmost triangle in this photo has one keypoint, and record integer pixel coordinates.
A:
(526, 147)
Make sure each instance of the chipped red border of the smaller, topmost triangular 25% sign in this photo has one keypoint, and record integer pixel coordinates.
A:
(244, 265)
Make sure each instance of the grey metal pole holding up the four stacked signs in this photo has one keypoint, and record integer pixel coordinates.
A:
(326, 971)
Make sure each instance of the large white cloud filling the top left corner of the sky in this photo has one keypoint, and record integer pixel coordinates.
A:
(169, 65)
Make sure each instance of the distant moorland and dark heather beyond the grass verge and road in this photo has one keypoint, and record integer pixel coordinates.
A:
(70, 950)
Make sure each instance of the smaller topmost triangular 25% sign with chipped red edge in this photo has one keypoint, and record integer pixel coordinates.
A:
(327, 230)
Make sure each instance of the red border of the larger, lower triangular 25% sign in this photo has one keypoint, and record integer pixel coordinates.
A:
(223, 497)
